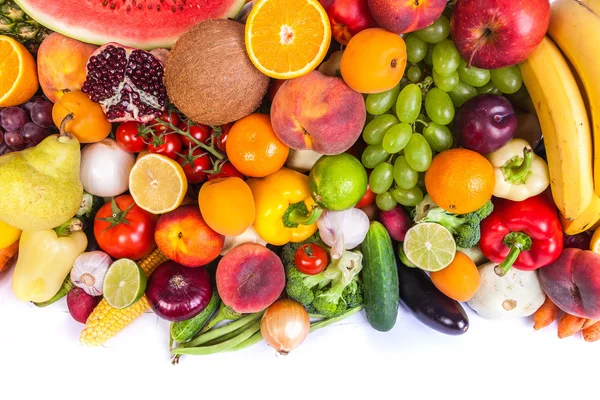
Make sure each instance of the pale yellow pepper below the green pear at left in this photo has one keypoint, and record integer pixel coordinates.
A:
(45, 259)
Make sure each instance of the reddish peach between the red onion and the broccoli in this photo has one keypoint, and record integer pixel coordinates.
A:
(250, 278)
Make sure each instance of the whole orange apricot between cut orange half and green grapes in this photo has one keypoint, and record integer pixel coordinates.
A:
(374, 61)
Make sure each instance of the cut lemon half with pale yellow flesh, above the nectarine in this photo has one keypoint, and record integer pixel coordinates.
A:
(157, 183)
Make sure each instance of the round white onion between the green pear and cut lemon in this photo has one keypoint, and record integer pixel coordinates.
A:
(105, 168)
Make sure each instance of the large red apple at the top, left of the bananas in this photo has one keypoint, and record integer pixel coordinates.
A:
(493, 34)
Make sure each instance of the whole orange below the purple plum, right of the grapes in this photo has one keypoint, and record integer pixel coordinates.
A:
(460, 180)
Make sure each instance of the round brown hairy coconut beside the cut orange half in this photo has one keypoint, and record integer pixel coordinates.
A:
(209, 76)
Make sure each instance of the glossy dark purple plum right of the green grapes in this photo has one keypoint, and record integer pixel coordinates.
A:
(485, 123)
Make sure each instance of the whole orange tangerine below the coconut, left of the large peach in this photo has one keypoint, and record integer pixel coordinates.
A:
(253, 148)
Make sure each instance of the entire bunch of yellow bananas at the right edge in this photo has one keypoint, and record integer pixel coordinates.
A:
(561, 76)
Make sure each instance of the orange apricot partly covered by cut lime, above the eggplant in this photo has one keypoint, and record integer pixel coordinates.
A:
(459, 280)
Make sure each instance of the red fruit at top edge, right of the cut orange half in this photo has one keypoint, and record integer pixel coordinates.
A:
(348, 17)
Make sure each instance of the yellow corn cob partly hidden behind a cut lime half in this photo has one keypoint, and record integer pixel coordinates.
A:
(105, 321)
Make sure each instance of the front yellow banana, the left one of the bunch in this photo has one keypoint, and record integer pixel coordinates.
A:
(565, 125)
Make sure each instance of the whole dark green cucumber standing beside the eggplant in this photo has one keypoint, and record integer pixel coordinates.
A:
(380, 278)
